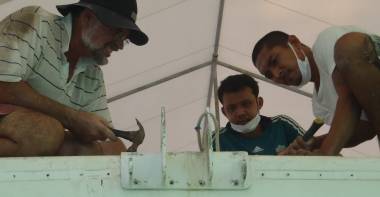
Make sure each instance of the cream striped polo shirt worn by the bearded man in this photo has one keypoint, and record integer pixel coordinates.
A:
(32, 46)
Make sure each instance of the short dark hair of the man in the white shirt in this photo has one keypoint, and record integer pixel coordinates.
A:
(270, 40)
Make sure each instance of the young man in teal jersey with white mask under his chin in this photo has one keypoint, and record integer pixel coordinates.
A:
(247, 130)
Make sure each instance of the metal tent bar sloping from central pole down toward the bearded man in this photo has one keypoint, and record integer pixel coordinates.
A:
(154, 83)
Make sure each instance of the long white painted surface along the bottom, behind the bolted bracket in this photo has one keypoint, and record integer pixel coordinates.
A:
(269, 176)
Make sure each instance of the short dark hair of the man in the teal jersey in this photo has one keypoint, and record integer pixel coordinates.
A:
(235, 83)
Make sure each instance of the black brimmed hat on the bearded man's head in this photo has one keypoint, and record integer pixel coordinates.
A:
(114, 13)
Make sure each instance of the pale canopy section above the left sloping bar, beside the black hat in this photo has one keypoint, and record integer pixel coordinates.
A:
(176, 43)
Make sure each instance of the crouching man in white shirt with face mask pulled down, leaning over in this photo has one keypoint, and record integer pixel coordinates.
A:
(344, 66)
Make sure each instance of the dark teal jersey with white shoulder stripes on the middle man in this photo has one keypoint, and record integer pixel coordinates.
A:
(278, 133)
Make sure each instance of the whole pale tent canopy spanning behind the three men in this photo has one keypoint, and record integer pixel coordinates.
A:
(174, 69)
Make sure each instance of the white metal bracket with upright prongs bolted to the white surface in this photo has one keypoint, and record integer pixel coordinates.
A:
(184, 171)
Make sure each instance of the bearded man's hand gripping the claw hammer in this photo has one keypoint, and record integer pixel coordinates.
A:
(89, 127)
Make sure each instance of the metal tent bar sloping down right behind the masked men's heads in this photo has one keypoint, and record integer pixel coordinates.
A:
(254, 75)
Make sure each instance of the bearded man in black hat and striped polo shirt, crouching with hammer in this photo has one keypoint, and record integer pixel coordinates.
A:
(50, 80)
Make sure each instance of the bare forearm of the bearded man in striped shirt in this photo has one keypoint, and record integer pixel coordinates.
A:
(21, 94)
